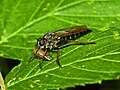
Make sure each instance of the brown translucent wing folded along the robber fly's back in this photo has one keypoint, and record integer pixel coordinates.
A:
(72, 33)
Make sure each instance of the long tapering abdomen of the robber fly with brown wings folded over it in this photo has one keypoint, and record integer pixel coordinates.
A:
(71, 34)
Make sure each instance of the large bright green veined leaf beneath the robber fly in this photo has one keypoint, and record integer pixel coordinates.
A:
(22, 21)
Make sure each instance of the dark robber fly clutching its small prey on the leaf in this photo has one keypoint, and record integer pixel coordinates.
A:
(56, 40)
